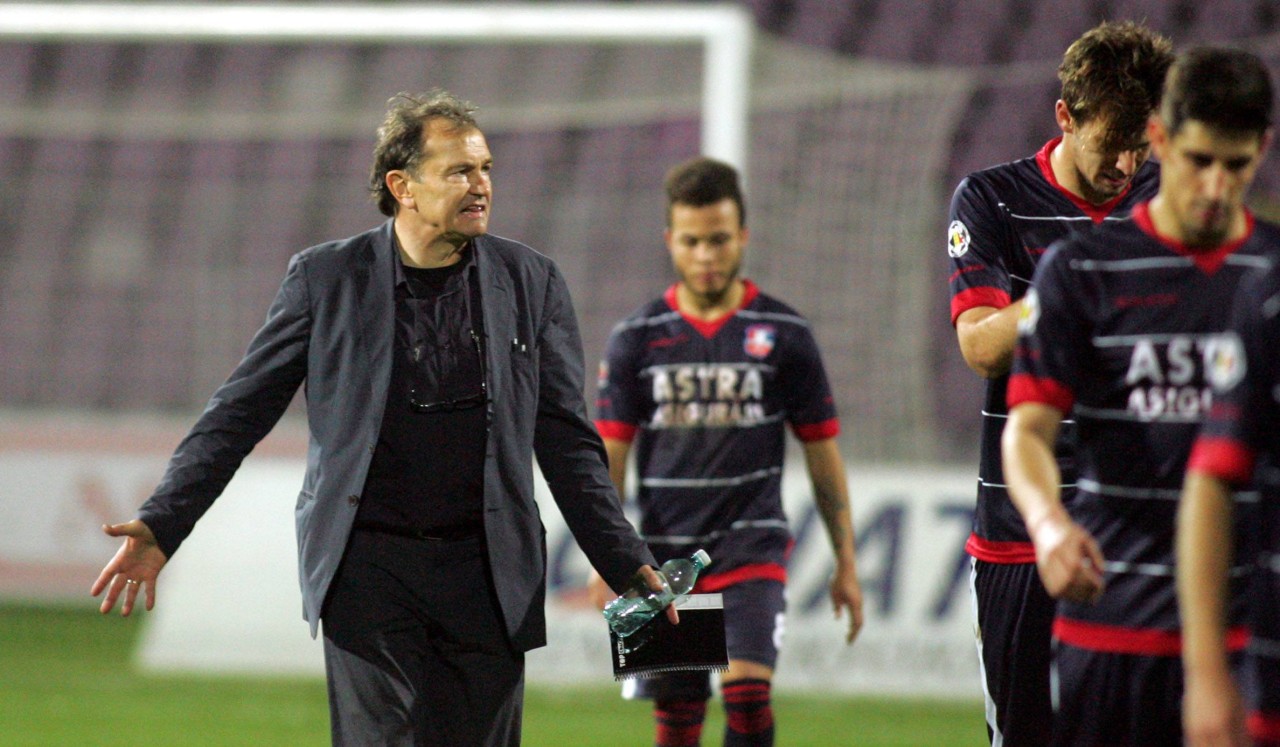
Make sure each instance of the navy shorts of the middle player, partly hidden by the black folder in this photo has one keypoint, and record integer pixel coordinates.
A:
(755, 613)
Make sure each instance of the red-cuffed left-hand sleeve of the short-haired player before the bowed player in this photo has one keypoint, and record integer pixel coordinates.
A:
(1053, 336)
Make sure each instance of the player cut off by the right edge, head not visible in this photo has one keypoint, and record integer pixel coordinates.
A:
(1238, 448)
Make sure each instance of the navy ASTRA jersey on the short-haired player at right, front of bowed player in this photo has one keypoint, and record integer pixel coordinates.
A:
(1124, 331)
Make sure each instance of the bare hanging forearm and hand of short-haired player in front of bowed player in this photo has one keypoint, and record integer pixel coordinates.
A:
(1068, 558)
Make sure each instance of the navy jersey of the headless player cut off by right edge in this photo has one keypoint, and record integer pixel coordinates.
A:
(1240, 443)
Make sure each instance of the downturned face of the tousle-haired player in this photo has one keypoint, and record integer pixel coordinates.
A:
(1105, 162)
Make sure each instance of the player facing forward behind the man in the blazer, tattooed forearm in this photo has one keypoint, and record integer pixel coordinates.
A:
(703, 382)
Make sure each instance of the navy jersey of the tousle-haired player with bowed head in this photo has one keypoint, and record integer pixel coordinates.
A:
(1003, 221)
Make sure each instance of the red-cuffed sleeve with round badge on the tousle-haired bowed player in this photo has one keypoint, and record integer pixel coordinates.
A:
(976, 236)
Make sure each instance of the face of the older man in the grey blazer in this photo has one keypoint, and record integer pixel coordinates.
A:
(451, 186)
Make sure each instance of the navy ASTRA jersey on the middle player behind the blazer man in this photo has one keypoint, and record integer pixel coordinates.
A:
(707, 407)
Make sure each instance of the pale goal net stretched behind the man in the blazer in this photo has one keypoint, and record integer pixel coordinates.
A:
(154, 187)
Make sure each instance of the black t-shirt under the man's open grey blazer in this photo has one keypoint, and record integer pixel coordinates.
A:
(428, 469)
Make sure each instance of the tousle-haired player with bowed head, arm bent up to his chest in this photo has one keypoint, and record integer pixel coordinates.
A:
(1003, 219)
